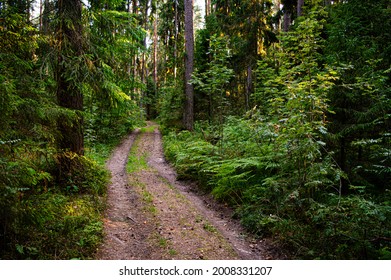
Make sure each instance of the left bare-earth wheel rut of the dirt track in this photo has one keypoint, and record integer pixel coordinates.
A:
(122, 223)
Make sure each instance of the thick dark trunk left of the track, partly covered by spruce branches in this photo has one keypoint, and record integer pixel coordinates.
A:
(70, 44)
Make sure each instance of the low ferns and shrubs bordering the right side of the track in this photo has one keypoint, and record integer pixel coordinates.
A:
(250, 168)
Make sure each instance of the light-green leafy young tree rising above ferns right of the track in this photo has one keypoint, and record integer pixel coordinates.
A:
(295, 100)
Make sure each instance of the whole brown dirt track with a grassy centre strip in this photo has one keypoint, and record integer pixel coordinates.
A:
(152, 215)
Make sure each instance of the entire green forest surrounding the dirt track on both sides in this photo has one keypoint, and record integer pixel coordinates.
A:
(279, 108)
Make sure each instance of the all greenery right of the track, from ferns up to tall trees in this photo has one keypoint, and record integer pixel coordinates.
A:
(308, 164)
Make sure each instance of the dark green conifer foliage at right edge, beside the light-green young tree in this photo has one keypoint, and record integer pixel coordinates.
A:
(361, 98)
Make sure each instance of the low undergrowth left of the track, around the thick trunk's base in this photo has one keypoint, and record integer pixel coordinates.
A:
(43, 218)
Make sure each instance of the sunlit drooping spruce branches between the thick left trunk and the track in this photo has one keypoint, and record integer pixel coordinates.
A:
(111, 92)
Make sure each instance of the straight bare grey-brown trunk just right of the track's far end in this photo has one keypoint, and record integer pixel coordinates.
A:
(188, 119)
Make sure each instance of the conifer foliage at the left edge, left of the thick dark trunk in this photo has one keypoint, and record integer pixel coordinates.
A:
(27, 125)
